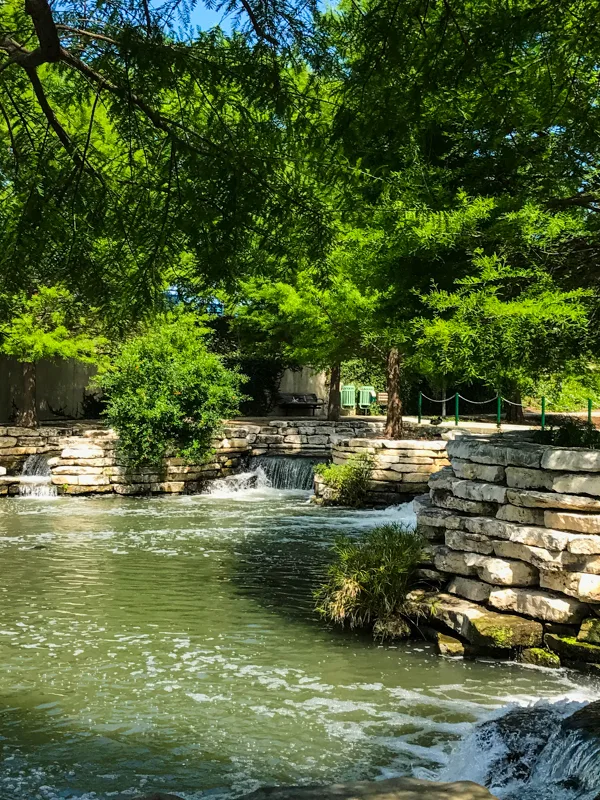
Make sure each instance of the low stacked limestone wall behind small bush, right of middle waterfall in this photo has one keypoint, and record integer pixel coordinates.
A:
(401, 466)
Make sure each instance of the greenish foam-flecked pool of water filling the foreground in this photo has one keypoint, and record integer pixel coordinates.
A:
(170, 644)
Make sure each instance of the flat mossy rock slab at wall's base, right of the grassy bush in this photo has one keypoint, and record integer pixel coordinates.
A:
(484, 628)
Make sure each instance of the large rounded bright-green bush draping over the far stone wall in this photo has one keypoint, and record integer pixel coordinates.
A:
(167, 394)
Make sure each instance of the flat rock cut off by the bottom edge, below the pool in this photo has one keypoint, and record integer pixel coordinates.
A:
(391, 789)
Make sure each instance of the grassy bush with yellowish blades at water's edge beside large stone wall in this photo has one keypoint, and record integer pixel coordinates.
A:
(370, 577)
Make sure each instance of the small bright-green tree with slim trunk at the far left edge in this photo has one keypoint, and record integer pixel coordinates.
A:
(49, 324)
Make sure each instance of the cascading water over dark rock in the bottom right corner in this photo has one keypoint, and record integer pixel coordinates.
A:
(549, 751)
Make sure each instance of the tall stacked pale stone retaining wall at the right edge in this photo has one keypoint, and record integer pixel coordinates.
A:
(515, 526)
